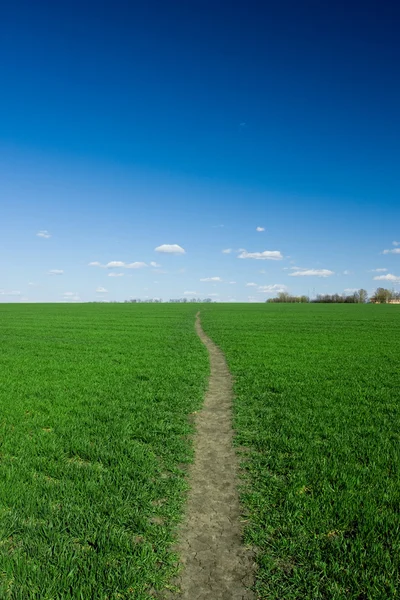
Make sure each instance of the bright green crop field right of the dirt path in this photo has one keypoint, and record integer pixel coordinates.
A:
(317, 407)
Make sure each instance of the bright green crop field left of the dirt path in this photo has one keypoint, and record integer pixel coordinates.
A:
(94, 439)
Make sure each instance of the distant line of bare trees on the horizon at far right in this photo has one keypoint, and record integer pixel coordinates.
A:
(381, 295)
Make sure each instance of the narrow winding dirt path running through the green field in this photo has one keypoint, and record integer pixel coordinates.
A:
(216, 565)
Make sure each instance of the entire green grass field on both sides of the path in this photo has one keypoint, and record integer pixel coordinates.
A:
(95, 436)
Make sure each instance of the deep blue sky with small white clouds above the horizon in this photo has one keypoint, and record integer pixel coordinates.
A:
(129, 128)
